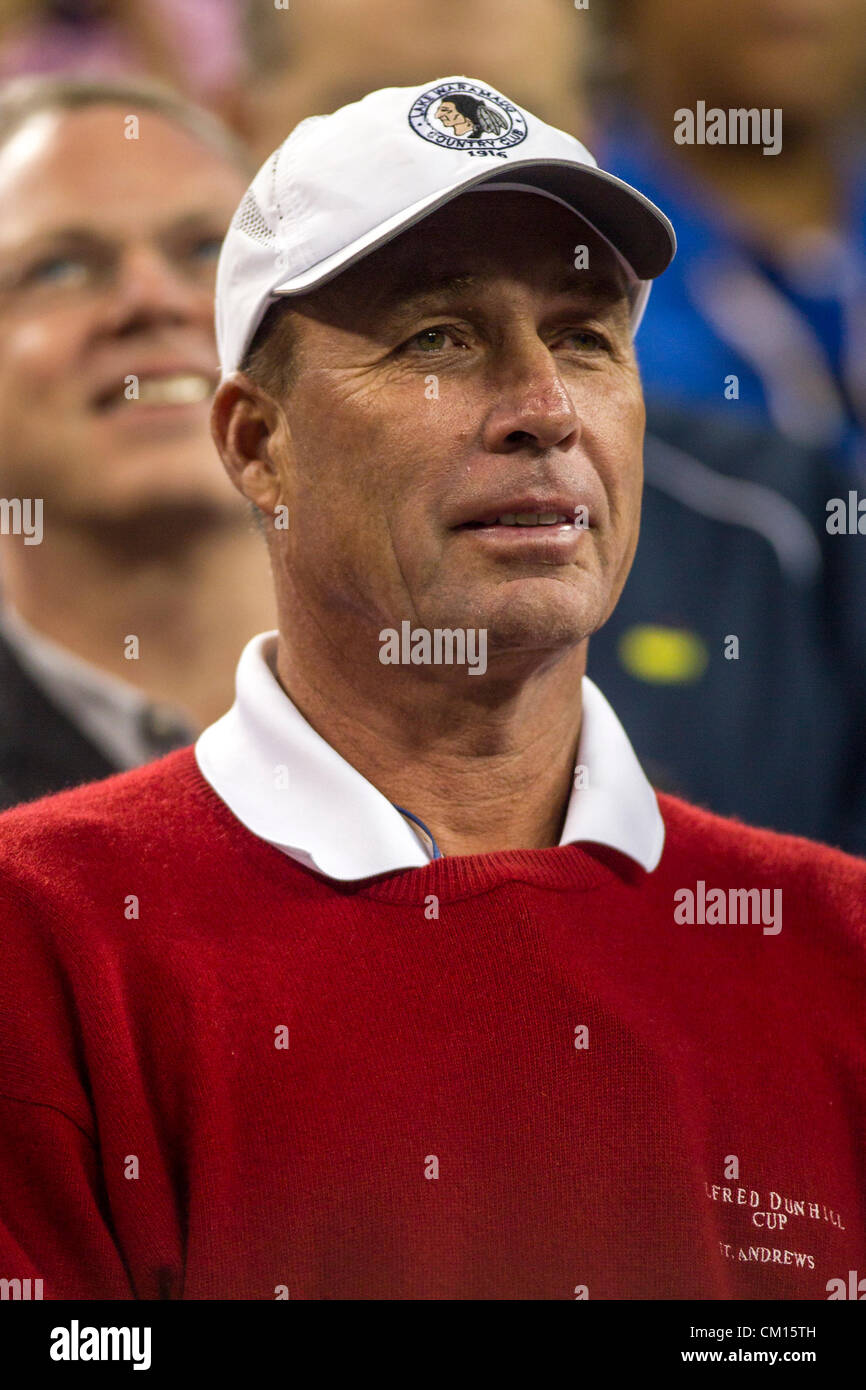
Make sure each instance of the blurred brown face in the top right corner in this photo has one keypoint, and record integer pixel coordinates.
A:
(807, 56)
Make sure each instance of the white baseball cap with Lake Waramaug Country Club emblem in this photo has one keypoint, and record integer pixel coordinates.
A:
(344, 184)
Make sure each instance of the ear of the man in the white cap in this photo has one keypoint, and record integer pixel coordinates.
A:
(251, 434)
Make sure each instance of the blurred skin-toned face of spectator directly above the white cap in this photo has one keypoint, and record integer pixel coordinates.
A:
(320, 55)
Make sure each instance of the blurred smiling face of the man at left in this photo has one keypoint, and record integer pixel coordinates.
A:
(108, 358)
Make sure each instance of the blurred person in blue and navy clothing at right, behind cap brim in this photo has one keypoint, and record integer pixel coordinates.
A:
(754, 361)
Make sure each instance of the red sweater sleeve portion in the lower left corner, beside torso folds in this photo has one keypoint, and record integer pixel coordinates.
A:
(54, 1221)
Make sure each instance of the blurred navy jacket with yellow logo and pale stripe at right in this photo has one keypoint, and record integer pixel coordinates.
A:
(737, 653)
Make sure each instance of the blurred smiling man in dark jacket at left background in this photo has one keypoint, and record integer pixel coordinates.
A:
(130, 575)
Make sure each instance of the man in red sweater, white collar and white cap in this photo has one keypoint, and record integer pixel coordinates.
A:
(405, 983)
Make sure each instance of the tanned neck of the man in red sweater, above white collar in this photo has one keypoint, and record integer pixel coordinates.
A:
(486, 762)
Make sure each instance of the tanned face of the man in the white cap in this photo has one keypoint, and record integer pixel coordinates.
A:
(462, 373)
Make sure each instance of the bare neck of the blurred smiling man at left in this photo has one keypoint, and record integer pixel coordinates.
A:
(191, 598)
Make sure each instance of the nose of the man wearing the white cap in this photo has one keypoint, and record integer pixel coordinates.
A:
(533, 405)
